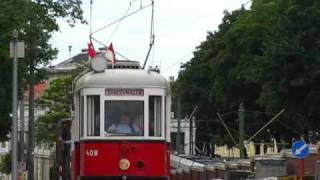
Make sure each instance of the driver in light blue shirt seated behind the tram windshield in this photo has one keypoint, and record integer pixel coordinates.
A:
(125, 126)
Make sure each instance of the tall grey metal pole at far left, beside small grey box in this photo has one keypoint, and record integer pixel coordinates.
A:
(14, 133)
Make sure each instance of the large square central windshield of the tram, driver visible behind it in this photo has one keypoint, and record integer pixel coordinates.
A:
(124, 118)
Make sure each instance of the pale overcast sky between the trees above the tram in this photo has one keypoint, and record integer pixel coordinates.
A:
(180, 26)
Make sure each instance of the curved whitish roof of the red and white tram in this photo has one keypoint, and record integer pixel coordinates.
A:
(122, 78)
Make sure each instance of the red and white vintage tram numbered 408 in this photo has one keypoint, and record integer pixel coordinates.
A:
(121, 124)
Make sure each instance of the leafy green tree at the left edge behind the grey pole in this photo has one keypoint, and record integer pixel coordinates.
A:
(35, 21)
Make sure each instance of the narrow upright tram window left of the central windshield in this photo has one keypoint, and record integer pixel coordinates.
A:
(93, 115)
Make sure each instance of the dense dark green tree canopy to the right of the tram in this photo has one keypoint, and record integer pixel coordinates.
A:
(267, 57)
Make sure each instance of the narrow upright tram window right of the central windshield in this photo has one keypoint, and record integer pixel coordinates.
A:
(155, 115)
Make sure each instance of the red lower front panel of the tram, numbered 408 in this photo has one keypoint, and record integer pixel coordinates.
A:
(145, 159)
